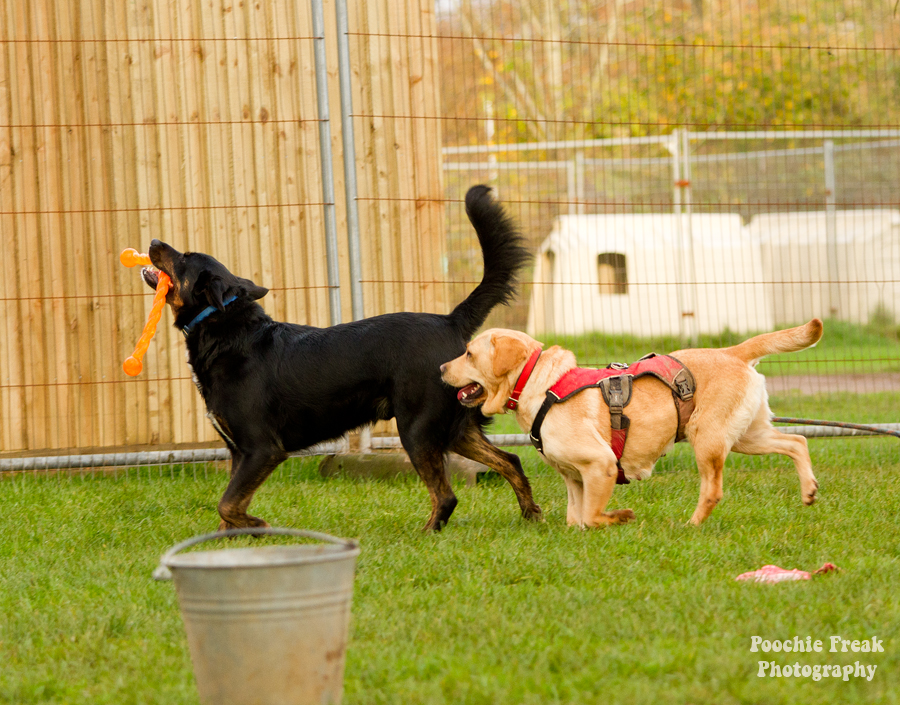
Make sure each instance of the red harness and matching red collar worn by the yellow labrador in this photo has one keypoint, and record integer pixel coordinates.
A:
(616, 383)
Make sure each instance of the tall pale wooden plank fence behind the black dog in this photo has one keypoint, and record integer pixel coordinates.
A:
(195, 123)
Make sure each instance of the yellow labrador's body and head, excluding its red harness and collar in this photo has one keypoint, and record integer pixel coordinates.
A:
(731, 412)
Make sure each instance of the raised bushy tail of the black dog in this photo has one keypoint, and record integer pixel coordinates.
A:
(504, 255)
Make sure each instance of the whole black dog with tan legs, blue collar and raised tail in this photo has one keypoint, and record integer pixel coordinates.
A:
(271, 388)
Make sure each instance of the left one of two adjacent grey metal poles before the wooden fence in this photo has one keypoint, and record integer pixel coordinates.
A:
(326, 157)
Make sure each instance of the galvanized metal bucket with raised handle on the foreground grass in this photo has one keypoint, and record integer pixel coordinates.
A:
(266, 625)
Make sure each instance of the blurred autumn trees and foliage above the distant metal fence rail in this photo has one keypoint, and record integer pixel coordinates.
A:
(564, 69)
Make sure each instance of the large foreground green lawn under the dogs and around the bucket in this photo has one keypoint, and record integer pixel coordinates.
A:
(492, 610)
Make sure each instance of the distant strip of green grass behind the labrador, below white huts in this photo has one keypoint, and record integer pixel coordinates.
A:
(844, 348)
